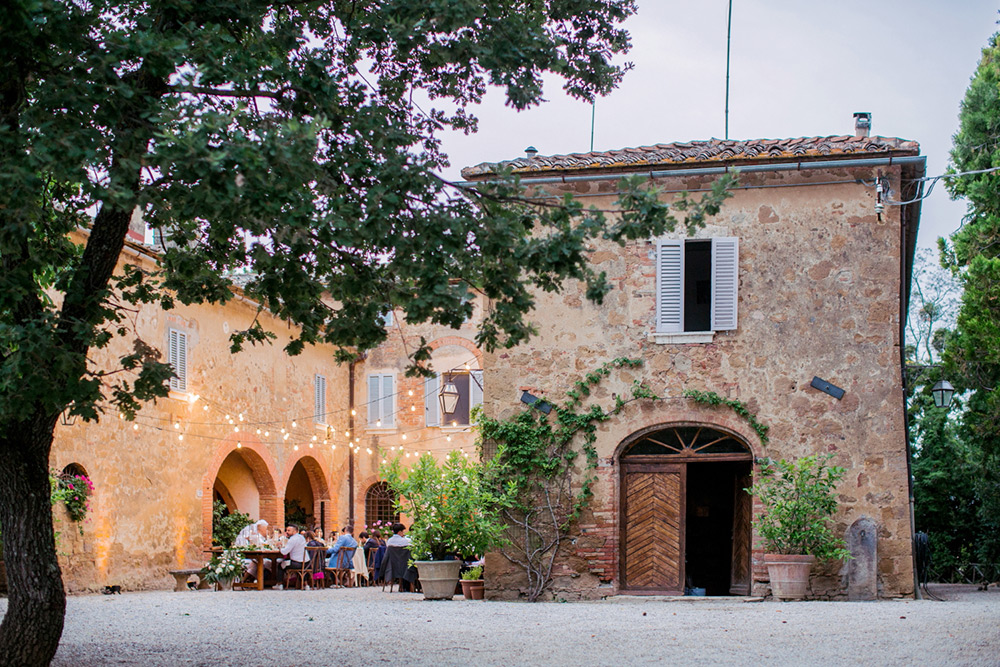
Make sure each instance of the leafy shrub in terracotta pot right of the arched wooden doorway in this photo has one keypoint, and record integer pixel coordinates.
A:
(799, 501)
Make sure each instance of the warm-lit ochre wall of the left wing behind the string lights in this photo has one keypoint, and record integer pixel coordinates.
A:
(151, 508)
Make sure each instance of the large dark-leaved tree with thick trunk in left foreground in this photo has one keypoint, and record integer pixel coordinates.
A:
(280, 138)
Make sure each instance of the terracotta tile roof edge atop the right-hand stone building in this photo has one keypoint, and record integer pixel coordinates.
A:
(694, 153)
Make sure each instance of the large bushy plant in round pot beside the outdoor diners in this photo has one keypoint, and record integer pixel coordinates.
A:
(454, 515)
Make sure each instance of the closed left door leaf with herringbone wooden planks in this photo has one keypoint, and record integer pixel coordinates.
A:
(653, 513)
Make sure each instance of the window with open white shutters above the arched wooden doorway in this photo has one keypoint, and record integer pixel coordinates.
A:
(696, 284)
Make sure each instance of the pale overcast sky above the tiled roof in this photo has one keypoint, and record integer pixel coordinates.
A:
(799, 68)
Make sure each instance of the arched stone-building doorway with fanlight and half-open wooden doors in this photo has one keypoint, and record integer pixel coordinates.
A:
(685, 519)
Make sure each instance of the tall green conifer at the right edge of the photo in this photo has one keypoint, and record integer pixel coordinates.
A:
(972, 354)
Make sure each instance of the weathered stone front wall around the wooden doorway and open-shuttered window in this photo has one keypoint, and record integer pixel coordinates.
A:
(819, 290)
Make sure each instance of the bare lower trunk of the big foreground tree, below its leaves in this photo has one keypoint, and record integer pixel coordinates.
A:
(36, 605)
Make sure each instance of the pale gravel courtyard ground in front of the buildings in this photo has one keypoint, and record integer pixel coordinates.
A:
(367, 626)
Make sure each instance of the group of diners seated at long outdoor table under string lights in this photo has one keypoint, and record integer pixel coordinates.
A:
(295, 545)
